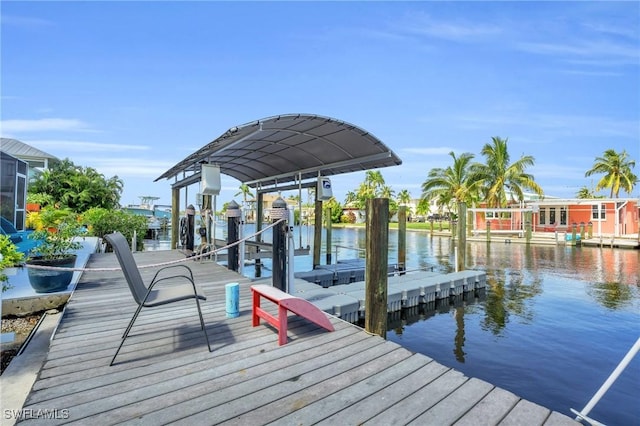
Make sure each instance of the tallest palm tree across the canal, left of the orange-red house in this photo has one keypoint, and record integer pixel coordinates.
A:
(499, 176)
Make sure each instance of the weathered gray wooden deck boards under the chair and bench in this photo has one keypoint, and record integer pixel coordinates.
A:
(165, 374)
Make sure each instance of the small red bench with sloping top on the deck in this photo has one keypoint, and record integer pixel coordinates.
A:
(285, 302)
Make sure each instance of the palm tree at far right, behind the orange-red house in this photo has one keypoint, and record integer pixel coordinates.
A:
(617, 172)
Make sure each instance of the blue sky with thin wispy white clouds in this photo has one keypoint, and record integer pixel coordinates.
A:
(131, 88)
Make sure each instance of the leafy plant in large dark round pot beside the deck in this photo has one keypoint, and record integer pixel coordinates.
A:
(55, 250)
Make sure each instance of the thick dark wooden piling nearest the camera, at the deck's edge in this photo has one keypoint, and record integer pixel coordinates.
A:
(377, 258)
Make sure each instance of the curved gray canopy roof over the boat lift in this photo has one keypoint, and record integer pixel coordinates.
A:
(289, 147)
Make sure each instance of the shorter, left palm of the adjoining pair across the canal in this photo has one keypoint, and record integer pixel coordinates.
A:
(457, 182)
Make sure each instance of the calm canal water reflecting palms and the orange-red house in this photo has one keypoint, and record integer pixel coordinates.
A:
(553, 323)
